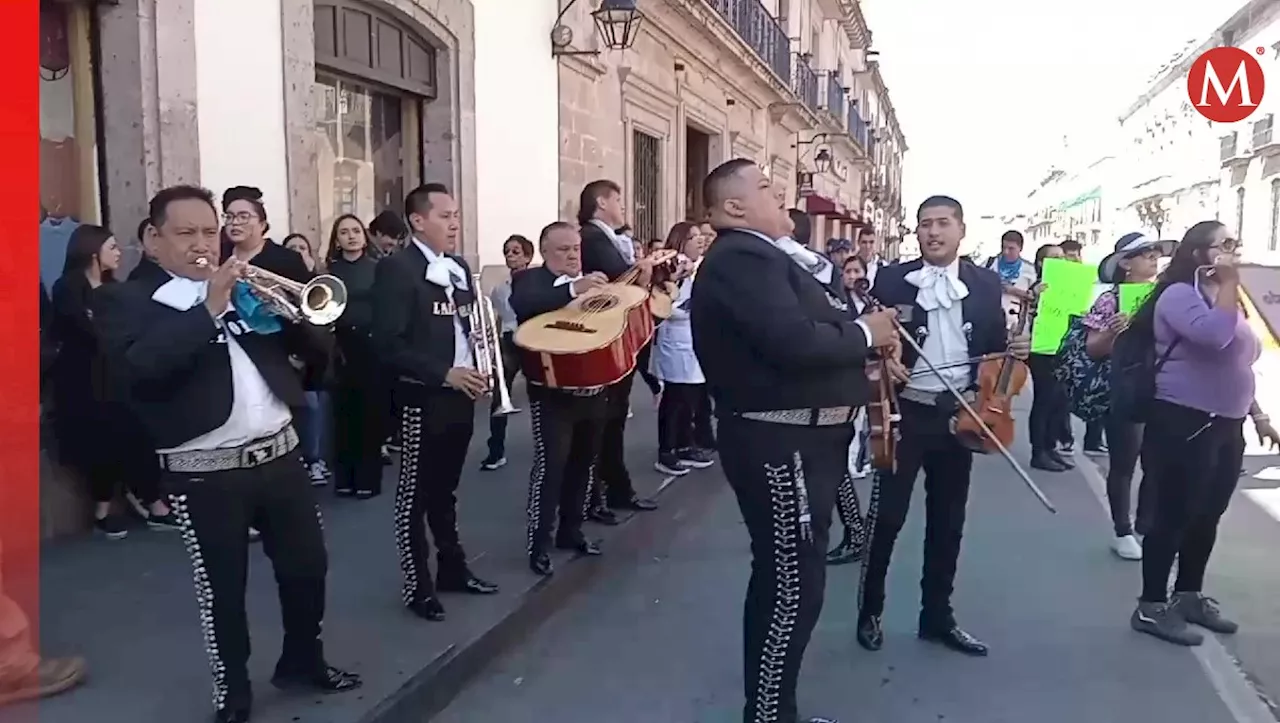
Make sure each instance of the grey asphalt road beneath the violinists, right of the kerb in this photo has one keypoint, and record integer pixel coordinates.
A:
(660, 643)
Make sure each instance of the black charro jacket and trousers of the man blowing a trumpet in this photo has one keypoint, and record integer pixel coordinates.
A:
(177, 372)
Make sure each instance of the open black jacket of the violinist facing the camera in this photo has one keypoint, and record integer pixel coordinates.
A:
(984, 314)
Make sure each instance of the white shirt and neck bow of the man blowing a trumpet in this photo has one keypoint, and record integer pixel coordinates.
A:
(257, 411)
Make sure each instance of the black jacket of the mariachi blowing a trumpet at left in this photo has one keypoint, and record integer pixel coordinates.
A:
(176, 365)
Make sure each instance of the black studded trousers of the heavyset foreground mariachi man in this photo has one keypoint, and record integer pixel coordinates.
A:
(785, 479)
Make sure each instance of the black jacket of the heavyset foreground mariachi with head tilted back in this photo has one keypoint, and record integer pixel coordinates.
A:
(769, 336)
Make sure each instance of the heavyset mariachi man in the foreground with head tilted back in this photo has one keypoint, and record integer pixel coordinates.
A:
(785, 365)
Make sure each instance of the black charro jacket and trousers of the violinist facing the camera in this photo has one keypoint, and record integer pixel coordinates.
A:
(926, 442)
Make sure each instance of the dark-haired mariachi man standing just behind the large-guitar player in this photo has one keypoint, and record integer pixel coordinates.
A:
(605, 251)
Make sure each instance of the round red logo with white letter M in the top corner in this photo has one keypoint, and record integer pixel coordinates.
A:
(1226, 85)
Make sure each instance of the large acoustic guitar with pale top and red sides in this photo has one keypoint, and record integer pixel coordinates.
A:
(595, 340)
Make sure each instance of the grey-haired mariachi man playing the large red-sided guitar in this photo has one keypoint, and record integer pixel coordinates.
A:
(568, 424)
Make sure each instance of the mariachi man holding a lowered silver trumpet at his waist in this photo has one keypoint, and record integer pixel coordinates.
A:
(423, 306)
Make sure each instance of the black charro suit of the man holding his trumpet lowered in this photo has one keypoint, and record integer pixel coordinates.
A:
(415, 338)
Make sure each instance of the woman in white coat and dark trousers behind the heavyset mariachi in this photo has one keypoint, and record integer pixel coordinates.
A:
(685, 437)
